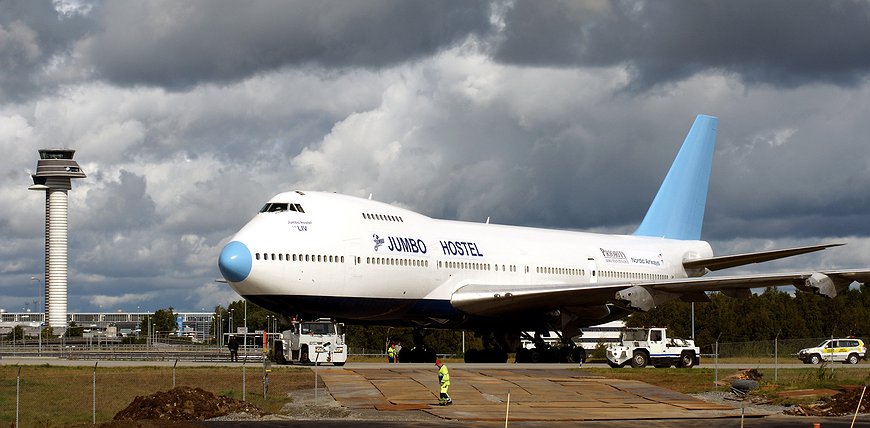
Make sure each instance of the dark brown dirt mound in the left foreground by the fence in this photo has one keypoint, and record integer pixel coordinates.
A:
(184, 404)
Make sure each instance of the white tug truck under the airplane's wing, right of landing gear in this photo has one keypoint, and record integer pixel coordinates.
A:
(642, 346)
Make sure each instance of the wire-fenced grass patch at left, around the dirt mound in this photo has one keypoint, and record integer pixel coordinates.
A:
(63, 396)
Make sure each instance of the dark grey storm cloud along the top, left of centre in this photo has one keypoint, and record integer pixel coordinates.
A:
(178, 44)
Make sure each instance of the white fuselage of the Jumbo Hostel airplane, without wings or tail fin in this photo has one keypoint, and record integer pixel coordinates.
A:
(349, 258)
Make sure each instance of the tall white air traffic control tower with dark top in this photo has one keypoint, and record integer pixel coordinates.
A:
(54, 172)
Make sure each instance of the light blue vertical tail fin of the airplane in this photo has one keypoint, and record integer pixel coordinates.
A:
(677, 212)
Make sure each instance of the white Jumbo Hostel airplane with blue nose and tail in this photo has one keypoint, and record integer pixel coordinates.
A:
(318, 254)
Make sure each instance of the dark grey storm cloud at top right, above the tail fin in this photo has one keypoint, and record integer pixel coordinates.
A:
(785, 43)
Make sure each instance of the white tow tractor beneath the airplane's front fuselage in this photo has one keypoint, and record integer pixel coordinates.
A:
(312, 342)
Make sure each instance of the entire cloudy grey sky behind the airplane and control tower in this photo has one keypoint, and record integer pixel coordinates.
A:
(187, 116)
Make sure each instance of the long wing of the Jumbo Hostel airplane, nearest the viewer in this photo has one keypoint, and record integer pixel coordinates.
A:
(493, 299)
